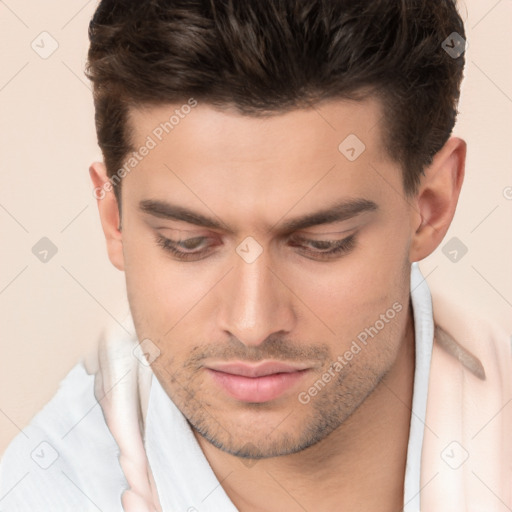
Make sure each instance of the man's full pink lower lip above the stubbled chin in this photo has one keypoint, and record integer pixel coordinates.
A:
(256, 389)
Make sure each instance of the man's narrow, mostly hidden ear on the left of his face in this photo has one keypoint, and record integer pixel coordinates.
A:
(109, 213)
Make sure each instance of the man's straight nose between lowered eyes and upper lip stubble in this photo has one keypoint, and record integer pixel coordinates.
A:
(255, 302)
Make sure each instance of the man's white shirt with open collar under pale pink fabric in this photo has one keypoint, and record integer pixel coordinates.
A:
(67, 459)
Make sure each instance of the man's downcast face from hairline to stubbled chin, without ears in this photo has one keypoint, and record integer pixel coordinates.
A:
(255, 285)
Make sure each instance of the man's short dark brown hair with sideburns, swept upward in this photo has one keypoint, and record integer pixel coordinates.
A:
(266, 57)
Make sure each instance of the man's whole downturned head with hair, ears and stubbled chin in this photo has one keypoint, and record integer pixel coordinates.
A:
(268, 158)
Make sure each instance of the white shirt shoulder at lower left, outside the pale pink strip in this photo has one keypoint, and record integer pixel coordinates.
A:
(66, 458)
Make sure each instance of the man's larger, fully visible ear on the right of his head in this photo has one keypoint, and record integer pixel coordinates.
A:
(437, 197)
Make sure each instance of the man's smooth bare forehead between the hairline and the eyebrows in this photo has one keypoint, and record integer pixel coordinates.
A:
(238, 163)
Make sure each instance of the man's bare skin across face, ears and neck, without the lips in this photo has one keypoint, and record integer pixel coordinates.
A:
(345, 448)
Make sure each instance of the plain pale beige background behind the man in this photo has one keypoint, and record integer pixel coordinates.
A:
(52, 313)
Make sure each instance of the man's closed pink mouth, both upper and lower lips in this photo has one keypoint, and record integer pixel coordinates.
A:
(256, 383)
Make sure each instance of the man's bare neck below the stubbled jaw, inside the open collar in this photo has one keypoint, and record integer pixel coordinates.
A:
(360, 465)
